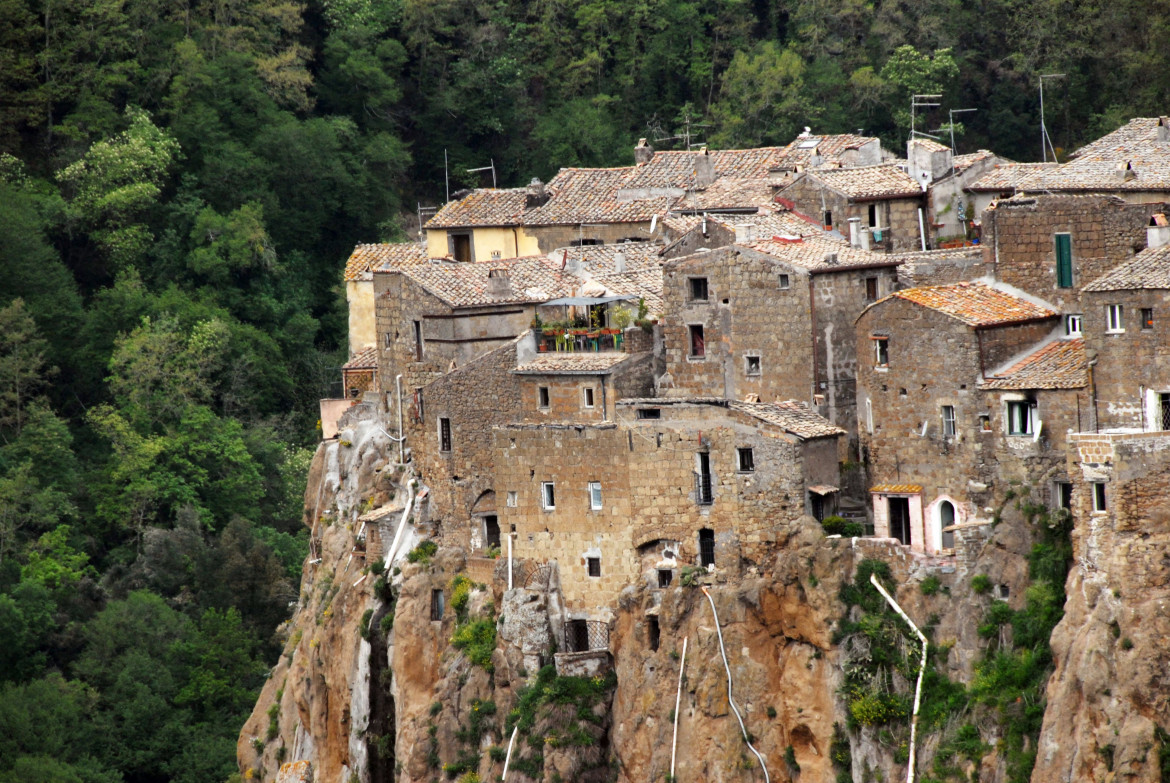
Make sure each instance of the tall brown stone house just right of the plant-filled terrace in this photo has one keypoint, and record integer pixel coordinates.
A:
(770, 318)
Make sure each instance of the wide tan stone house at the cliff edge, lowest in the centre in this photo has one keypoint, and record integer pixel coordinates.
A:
(670, 483)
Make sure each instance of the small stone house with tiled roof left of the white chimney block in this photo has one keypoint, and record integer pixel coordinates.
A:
(885, 200)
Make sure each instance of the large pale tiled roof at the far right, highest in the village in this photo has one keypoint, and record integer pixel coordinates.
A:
(1132, 159)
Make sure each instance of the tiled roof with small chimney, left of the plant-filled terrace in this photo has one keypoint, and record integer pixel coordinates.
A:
(532, 279)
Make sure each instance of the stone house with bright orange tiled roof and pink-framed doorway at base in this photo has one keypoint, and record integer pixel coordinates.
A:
(962, 389)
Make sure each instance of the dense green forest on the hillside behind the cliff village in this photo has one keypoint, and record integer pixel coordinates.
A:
(181, 184)
